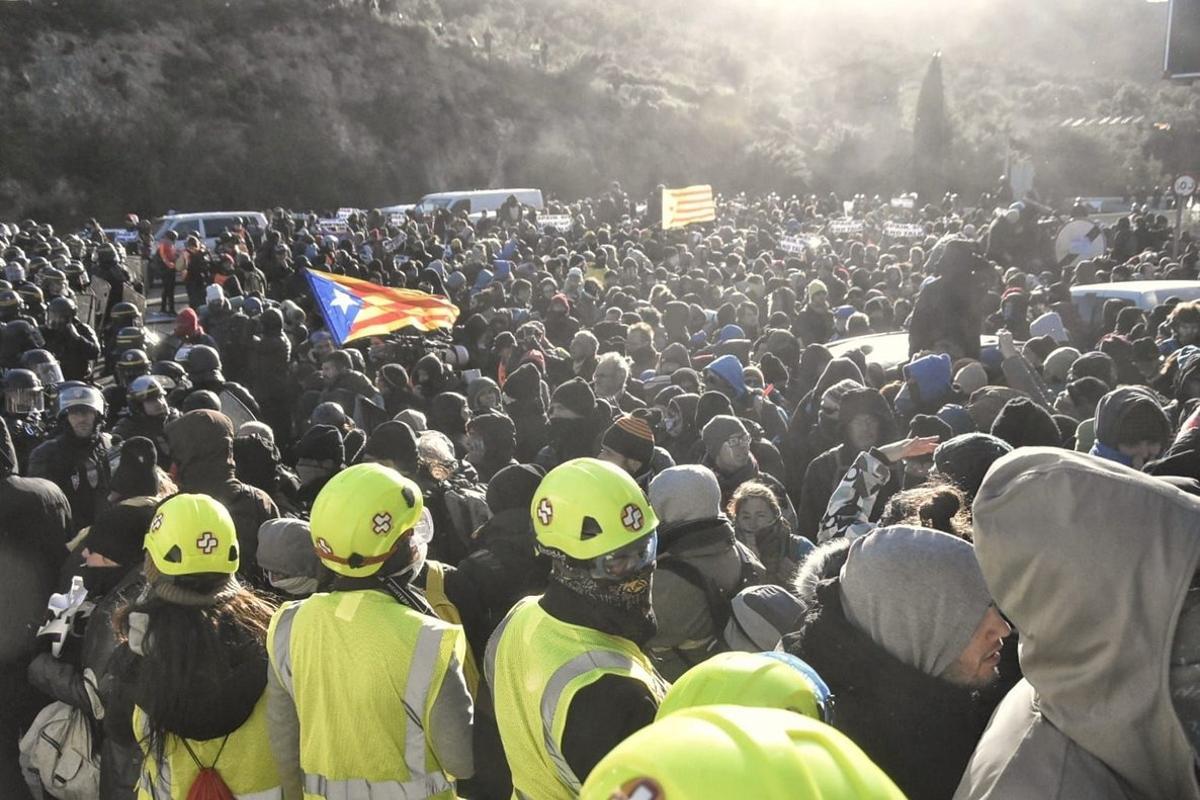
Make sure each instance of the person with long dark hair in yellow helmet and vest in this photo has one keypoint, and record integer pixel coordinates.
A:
(199, 687)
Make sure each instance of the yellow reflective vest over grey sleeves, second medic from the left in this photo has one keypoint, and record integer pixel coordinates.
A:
(356, 663)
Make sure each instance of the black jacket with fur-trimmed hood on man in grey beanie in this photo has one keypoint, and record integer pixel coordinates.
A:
(917, 729)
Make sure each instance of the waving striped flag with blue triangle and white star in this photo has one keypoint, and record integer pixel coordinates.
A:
(356, 309)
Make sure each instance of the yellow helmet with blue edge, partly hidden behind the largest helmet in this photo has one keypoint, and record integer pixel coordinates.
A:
(770, 681)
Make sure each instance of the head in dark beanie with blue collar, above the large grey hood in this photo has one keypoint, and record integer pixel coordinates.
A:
(1131, 428)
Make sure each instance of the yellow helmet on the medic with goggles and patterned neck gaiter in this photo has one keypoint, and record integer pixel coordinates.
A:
(587, 508)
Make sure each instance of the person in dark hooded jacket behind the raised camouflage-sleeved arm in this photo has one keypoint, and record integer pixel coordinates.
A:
(865, 422)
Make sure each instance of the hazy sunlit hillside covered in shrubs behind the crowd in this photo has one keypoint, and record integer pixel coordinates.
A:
(151, 105)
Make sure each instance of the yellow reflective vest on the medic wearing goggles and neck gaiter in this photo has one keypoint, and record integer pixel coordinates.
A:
(536, 664)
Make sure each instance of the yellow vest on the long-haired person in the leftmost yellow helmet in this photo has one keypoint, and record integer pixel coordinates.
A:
(245, 762)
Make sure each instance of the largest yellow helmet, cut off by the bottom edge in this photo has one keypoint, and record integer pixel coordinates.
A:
(733, 751)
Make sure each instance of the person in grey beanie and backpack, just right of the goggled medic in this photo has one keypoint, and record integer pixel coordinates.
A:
(700, 560)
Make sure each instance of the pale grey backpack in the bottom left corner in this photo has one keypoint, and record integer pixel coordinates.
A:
(58, 755)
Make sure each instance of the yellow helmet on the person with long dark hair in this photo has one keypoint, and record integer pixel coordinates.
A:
(193, 534)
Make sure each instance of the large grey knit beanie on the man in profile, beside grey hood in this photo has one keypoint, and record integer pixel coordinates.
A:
(917, 593)
